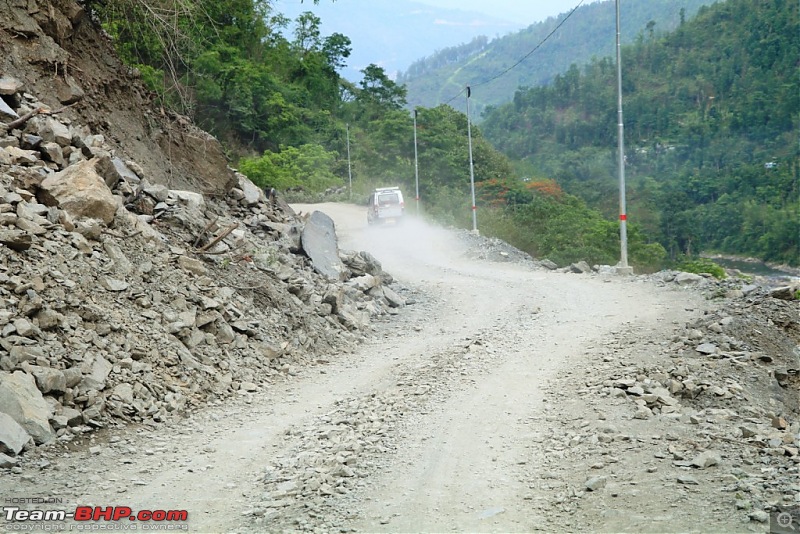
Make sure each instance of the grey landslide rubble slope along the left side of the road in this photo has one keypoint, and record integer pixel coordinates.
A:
(122, 300)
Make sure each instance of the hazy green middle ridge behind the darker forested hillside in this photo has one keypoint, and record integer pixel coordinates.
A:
(589, 32)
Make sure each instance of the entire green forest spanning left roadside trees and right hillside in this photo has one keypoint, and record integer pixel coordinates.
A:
(269, 88)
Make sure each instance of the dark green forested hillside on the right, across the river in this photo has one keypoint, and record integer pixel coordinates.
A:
(711, 117)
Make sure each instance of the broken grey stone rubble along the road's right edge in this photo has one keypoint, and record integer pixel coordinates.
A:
(727, 388)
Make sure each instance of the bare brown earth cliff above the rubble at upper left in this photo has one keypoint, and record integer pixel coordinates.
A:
(41, 37)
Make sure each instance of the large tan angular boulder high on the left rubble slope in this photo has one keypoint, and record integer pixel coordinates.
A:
(81, 191)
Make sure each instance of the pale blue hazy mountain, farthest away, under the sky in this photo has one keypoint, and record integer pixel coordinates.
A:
(394, 34)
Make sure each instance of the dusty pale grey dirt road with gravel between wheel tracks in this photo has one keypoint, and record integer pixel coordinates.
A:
(432, 424)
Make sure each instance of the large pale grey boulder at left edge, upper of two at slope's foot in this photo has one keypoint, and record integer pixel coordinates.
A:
(23, 402)
